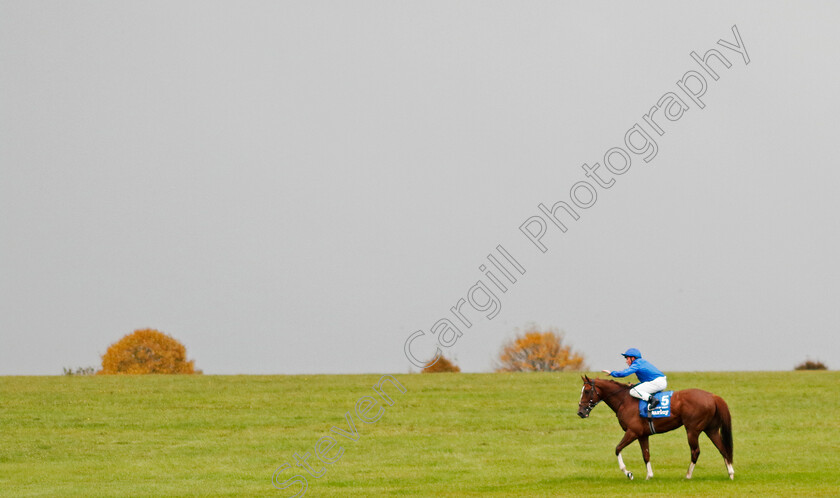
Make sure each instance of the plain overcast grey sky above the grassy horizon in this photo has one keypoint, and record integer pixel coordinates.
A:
(297, 187)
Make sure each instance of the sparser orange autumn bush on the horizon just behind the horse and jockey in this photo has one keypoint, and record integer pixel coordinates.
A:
(537, 351)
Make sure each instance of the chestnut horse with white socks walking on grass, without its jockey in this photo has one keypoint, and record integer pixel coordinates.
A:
(699, 411)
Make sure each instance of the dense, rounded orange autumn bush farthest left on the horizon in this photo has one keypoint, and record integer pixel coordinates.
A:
(147, 351)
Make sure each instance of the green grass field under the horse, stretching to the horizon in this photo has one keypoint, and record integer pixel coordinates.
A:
(448, 435)
